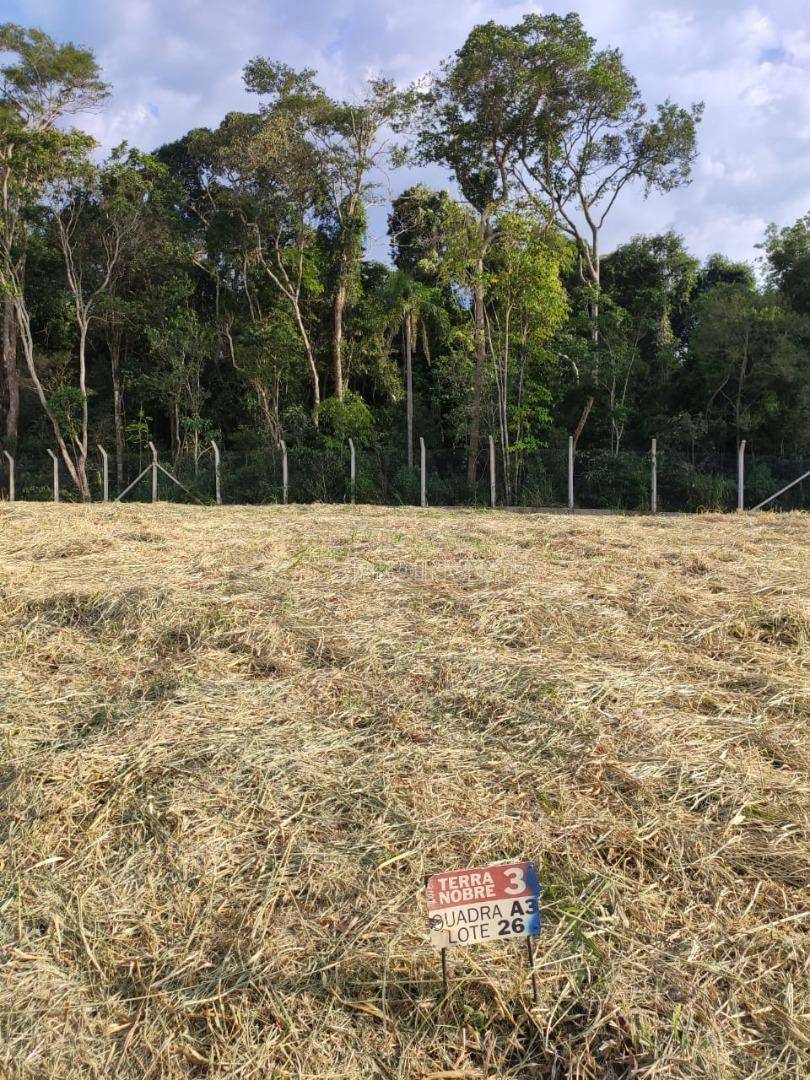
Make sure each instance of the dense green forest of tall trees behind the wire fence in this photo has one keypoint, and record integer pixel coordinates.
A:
(221, 289)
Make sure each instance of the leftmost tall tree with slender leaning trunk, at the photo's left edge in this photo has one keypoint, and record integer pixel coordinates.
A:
(44, 84)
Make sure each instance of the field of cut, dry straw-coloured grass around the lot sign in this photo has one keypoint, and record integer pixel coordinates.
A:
(234, 741)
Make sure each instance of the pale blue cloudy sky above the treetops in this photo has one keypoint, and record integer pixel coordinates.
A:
(178, 64)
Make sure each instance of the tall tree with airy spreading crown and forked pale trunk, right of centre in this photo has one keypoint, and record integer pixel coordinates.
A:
(588, 137)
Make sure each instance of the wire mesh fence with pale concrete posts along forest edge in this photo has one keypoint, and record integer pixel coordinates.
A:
(603, 481)
